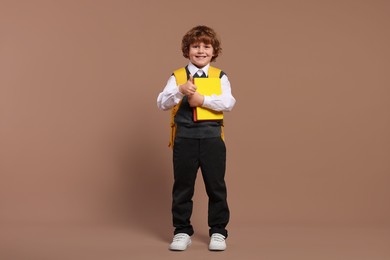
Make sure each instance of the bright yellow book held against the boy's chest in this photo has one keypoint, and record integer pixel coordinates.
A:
(207, 87)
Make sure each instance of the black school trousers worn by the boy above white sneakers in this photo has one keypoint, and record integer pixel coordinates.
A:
(209, 155)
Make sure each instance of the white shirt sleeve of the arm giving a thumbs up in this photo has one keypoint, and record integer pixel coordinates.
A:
(170, 96)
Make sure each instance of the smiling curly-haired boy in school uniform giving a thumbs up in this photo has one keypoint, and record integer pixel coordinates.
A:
(198, 144)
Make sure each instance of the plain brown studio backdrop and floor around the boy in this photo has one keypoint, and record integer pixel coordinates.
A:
(85, 168)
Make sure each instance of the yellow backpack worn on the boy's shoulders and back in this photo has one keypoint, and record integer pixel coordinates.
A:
(181, 78)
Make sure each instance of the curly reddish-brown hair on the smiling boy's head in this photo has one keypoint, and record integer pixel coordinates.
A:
(201, 33)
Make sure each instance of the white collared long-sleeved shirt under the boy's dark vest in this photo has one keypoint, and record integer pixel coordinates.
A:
(171, 95)
